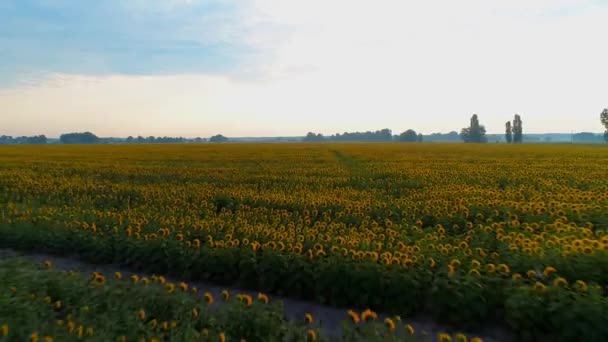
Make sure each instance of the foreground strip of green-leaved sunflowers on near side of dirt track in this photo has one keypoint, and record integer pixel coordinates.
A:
(42, 303)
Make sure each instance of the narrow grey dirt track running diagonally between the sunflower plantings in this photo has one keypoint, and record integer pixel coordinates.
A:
(330, 318)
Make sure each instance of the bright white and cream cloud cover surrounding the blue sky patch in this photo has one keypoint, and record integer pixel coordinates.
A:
(335, 65)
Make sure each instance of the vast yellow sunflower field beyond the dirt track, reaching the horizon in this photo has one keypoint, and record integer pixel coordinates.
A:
(469, 235)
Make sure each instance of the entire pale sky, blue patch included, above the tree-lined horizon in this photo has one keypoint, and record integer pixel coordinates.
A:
(286, 67)
